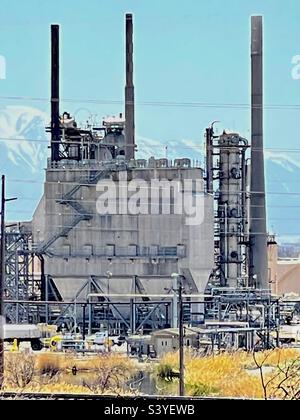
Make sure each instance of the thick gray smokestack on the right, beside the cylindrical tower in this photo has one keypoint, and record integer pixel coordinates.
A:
(258, 272)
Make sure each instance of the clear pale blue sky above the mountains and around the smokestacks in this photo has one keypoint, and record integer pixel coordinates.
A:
(186, 52)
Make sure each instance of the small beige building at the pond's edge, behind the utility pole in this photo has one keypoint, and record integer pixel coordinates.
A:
(167, 340)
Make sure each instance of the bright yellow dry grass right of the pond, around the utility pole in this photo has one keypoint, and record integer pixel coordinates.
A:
(229, 374)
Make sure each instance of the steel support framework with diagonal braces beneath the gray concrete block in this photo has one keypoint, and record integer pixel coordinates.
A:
(104, 311)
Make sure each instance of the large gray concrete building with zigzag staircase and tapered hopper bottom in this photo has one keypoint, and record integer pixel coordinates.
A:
(140, 252)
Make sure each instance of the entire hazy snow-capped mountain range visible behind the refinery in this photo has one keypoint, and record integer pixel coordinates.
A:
(24, 150)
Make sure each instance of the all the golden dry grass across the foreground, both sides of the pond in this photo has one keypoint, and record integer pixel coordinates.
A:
(268, 374)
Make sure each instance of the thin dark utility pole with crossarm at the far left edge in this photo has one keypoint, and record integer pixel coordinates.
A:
(2, 277)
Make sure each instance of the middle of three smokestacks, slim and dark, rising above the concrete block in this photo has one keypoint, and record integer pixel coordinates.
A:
(129, 91)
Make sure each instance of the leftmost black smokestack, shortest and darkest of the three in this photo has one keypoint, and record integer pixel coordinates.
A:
(55, 131)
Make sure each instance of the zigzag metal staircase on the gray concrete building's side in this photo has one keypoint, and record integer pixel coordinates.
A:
(68, 199)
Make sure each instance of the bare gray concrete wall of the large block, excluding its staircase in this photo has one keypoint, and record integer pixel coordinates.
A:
(92, 240)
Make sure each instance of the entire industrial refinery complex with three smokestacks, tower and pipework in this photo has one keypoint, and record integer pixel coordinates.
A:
(158, 253)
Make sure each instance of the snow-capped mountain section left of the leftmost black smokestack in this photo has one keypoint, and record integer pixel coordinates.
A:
(23, 153)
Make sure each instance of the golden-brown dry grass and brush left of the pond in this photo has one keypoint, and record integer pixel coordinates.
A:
(46, 372)
